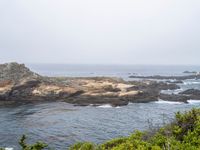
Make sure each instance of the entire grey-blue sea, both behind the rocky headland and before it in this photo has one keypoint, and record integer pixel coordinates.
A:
(61, 124)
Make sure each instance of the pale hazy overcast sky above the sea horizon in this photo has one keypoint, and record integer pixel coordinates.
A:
(100, 31)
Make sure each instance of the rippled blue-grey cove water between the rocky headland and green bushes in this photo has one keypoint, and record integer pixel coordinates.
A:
(61, 124)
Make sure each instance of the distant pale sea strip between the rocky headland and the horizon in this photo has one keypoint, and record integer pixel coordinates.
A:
(108, 70)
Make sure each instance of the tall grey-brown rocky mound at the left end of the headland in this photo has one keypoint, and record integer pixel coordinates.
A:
(18, 83)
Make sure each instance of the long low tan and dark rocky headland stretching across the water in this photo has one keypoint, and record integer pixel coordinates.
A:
(18, 84)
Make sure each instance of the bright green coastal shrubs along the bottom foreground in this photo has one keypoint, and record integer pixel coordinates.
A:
(181, 134)
